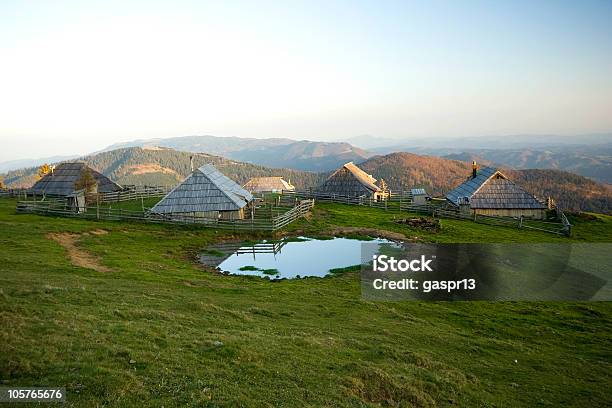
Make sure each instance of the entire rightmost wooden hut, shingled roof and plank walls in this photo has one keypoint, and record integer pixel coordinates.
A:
(489, 192)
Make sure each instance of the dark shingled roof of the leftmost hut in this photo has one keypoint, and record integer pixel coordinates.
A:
(61, 180)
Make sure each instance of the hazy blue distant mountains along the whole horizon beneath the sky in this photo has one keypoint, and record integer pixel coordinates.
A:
(586, 155)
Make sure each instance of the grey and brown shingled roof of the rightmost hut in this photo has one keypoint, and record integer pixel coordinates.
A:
(491, 189)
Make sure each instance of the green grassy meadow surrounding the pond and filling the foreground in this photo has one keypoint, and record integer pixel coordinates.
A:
(198, 338)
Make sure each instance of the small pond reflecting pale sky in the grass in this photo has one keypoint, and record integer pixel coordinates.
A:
(291, 258)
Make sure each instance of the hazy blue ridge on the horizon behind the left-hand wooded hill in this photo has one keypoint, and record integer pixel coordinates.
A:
(274, 152)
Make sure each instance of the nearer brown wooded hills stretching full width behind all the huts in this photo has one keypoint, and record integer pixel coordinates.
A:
(165, 166)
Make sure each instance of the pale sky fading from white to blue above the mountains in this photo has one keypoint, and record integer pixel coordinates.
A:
(78, 76)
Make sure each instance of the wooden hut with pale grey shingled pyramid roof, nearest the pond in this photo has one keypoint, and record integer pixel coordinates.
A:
(207, 193)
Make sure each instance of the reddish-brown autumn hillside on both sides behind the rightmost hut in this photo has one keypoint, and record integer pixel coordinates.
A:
(439, 175)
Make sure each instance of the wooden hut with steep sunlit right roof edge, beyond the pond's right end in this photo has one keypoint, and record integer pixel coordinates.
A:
(350, 181)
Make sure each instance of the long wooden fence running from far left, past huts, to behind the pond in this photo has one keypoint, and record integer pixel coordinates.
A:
(61, 208)
